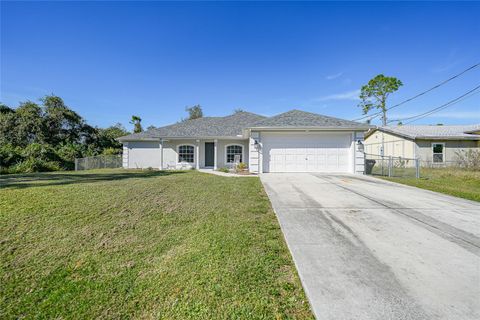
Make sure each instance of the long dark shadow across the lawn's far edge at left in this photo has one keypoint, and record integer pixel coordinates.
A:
(19, 181)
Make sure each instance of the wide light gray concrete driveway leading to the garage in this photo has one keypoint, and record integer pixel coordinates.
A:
(369, 249)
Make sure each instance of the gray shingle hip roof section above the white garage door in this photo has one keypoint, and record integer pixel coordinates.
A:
(299, 119)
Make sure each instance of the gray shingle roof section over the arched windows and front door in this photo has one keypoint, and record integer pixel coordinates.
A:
(229, 126)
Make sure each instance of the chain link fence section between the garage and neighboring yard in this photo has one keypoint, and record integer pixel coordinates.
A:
(389, 166)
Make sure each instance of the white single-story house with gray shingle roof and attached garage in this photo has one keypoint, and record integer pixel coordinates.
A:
(294, 141)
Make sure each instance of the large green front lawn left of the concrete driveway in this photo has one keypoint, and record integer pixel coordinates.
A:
(130, 244)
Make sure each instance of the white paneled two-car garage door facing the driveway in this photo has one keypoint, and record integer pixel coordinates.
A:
(306, 152)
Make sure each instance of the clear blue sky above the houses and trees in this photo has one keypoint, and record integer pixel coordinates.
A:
(109, 60)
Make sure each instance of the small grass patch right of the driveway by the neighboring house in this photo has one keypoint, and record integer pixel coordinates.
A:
(453, 181)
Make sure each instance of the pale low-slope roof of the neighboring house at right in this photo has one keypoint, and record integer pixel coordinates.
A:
(460, 132)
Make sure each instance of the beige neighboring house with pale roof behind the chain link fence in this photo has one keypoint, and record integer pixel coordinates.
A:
(432, 144)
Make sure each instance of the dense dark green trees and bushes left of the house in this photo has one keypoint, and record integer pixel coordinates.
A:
(49, 136)
